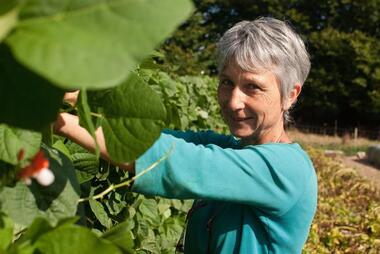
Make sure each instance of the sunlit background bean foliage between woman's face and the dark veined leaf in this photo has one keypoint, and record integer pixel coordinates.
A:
(191, 101)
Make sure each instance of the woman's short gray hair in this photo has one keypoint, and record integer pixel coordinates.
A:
(266, 43)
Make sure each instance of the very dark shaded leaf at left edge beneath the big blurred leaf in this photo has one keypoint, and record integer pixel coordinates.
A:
(26, 100)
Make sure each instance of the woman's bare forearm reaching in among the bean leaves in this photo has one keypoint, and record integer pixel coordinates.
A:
(67, 125)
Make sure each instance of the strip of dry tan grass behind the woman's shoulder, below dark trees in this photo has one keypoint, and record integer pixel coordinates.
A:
(347, 145)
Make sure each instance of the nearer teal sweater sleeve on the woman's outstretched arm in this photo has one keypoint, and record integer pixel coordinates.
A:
(269, 177)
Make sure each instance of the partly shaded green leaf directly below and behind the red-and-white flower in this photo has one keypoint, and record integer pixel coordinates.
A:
(59, 200)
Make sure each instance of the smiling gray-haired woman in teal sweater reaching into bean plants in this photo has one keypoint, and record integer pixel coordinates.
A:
(254, 194)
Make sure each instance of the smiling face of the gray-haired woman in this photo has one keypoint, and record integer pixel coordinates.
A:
(250, 103)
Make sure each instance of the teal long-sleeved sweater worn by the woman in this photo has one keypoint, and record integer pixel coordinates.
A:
(254, 199)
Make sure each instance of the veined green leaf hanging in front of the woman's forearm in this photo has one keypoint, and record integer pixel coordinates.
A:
(133, 119)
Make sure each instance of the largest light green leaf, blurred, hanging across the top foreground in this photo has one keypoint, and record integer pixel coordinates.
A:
(92, 44)
